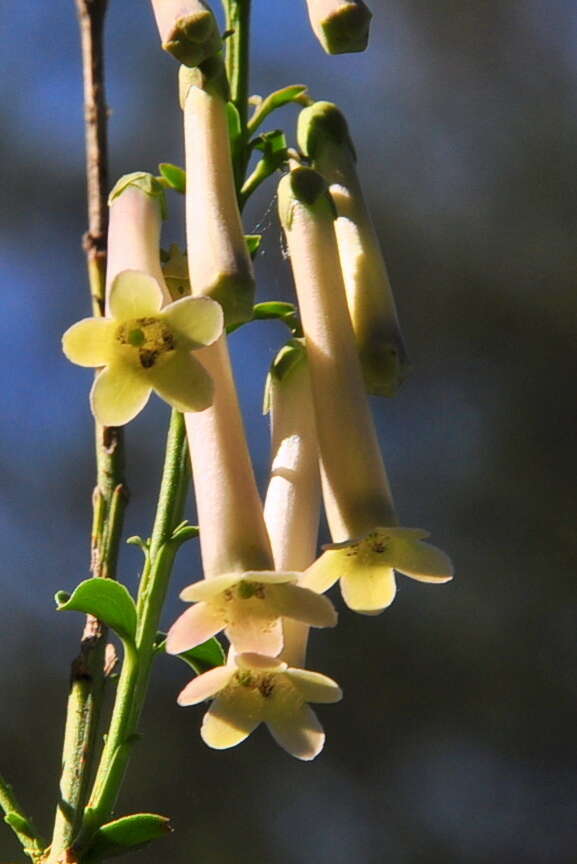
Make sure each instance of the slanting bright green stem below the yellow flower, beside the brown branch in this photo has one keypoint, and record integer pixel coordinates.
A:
(135, 675)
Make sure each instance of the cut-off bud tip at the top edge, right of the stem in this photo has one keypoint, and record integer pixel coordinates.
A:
(341, 26)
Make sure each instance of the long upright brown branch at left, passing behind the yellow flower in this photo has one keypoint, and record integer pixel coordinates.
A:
(88, 669)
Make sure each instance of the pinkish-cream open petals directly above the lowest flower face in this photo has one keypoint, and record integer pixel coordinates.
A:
(249, 608)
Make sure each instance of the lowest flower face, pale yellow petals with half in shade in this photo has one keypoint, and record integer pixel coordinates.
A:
(253, 689)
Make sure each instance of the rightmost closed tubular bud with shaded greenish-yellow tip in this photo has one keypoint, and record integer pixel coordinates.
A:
(324, 136)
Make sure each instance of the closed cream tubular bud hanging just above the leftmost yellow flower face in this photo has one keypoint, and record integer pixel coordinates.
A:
(218, 259)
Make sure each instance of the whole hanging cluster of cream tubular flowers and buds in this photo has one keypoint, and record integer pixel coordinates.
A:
(263, 581)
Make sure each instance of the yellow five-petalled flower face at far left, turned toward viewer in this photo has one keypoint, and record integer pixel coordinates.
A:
(144, 349)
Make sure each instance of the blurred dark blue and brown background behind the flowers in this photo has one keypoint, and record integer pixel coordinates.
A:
(456, 738)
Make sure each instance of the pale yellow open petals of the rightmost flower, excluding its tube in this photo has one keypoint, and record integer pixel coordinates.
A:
(366, 567)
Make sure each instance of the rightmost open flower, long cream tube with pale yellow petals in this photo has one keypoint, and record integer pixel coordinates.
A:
(356, 490)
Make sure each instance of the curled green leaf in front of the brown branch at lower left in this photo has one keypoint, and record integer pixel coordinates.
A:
(108, 601)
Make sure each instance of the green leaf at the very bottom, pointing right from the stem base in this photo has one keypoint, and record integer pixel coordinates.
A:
(128, 832)
